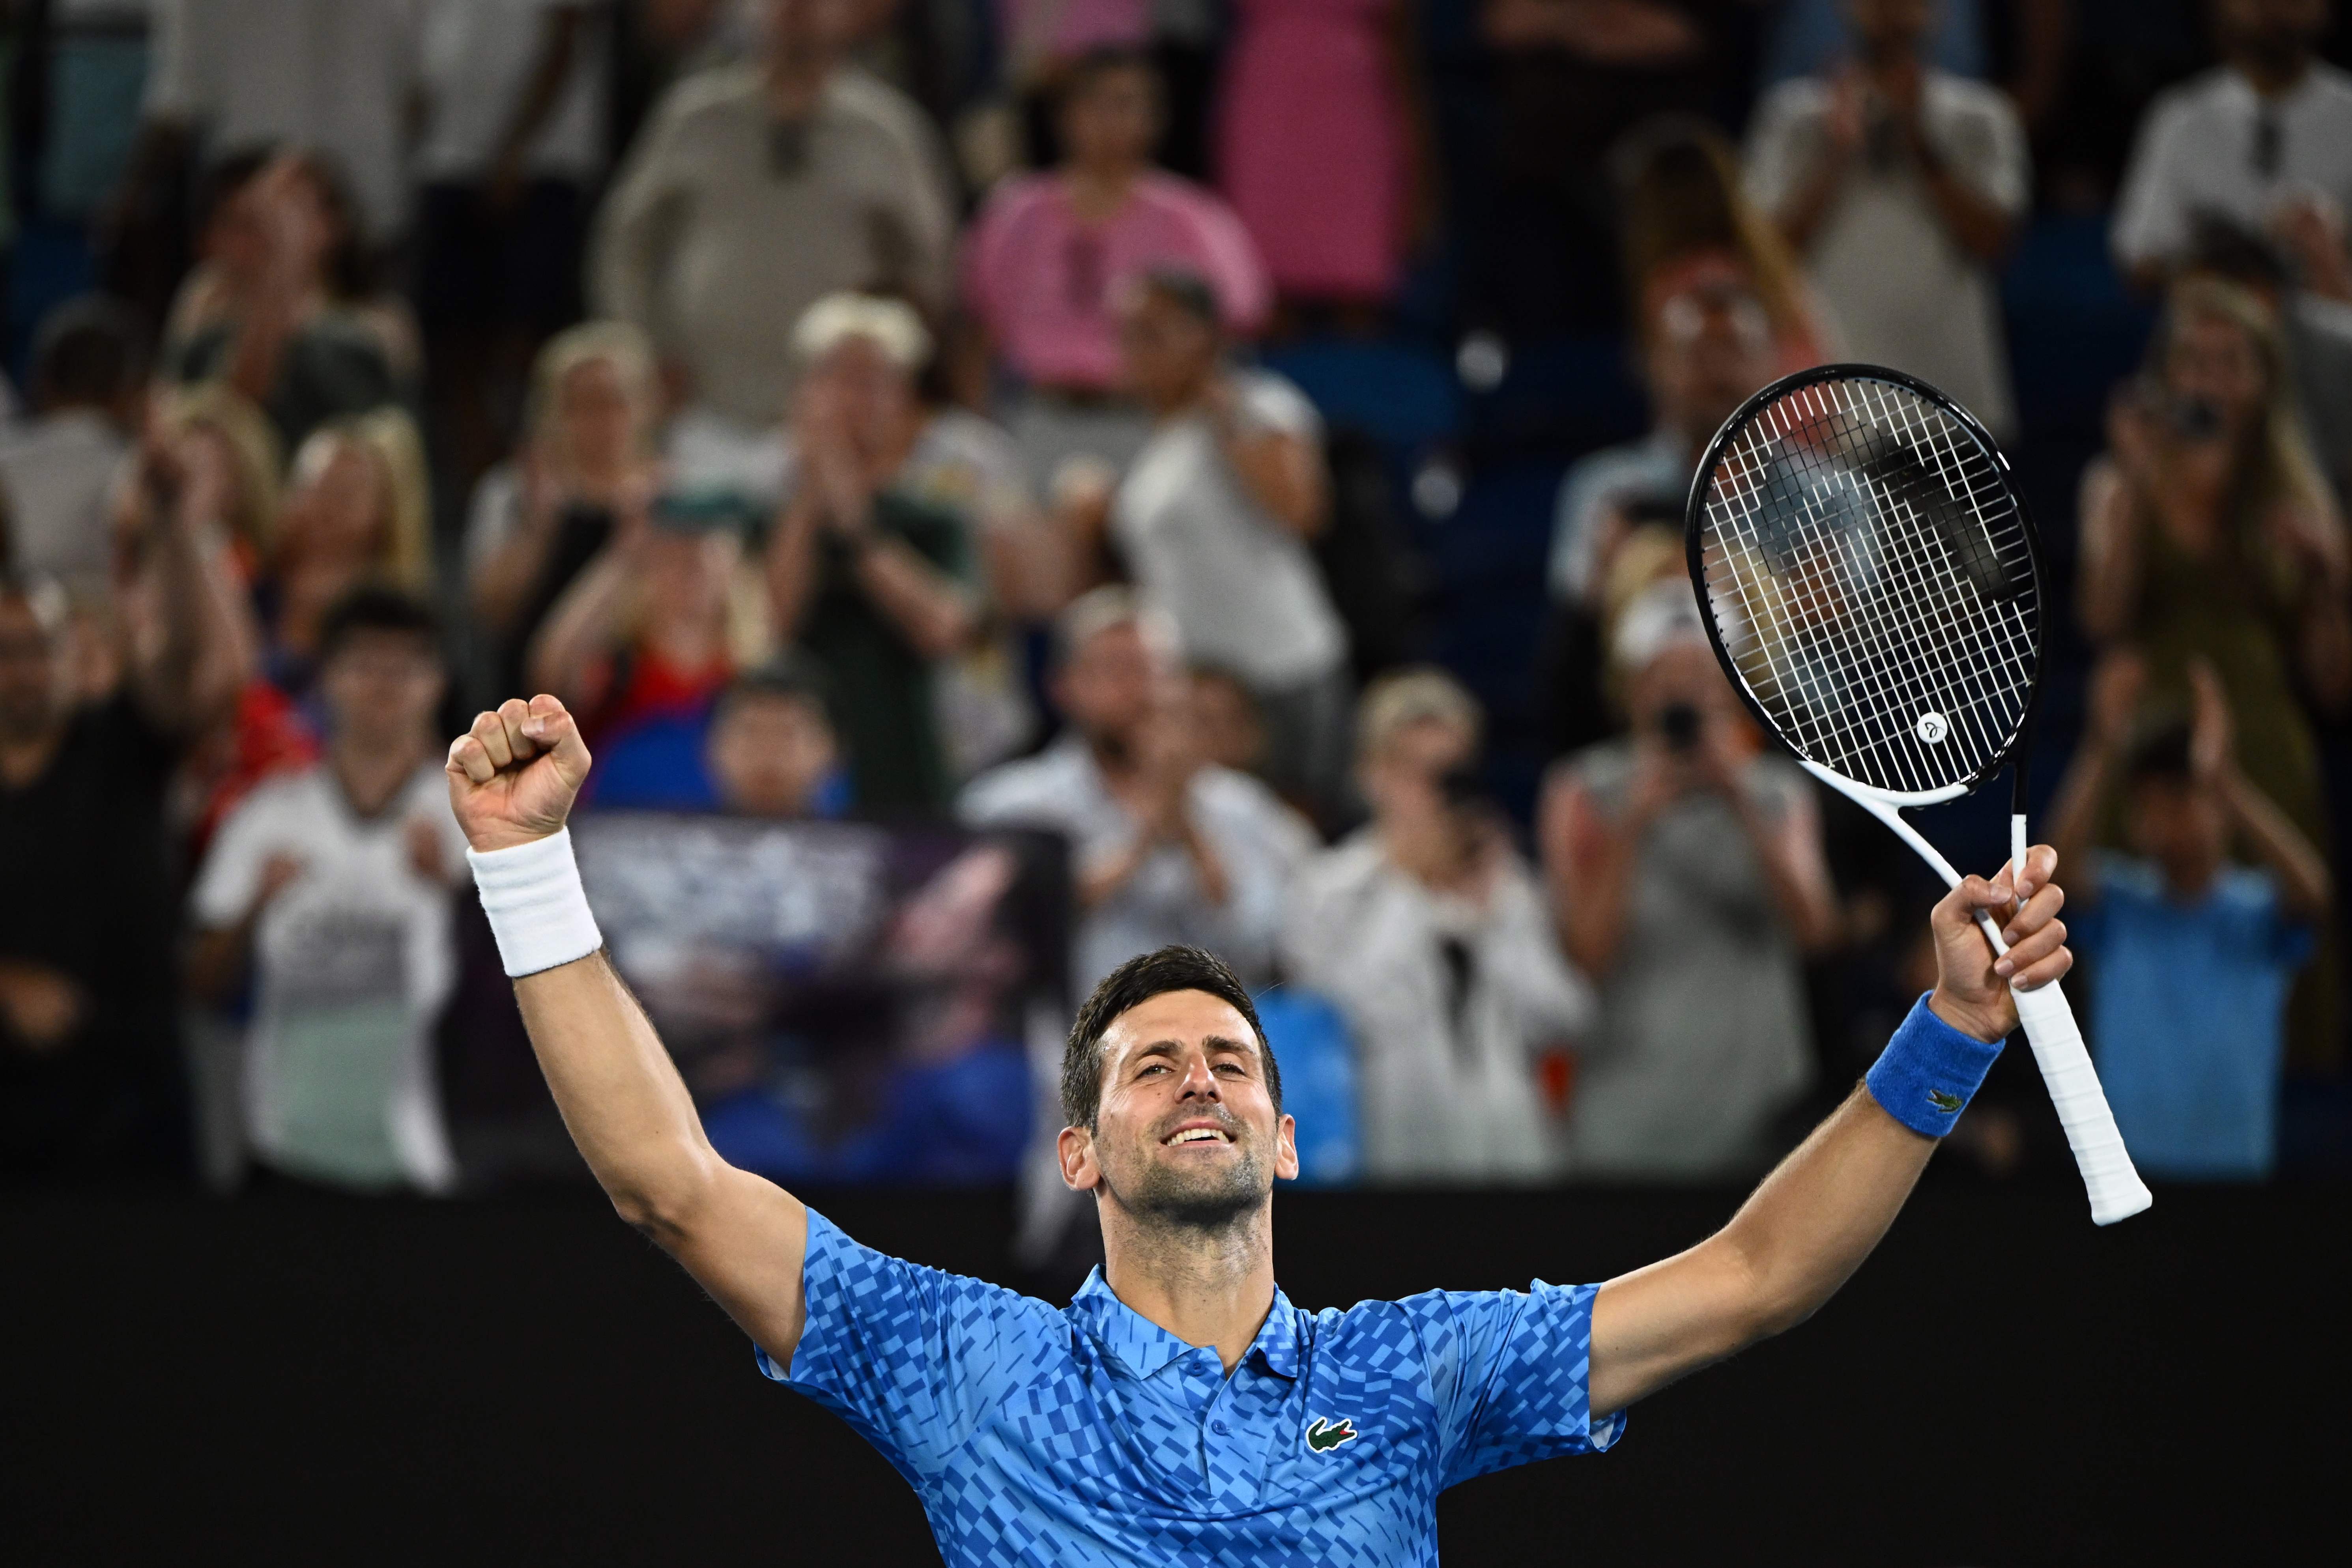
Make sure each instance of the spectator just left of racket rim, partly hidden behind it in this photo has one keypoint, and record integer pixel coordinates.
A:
(1706, 347)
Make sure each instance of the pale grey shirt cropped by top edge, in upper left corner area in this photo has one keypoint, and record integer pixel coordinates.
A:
(323, 74)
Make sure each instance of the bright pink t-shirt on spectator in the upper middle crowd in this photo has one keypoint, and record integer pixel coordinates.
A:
(1048, 286)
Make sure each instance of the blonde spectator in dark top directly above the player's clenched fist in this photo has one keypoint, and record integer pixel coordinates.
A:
(587, 457)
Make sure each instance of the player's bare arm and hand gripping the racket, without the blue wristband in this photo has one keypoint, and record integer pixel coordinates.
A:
(1812, 1224)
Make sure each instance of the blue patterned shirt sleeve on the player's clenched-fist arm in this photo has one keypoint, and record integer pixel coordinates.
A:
(911, 1358)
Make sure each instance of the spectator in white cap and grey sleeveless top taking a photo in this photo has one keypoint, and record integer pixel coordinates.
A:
(1688, 880)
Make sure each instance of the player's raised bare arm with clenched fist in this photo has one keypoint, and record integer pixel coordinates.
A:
(512, 782)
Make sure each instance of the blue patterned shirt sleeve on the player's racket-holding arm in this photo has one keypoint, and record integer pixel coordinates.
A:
(1511, 1376)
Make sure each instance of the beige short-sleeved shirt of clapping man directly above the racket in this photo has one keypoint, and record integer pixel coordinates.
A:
(1883, 260)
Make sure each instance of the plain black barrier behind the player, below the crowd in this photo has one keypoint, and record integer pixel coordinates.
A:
(328, 1381)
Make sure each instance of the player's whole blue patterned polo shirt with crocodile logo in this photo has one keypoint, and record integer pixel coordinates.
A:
(1093, 1435)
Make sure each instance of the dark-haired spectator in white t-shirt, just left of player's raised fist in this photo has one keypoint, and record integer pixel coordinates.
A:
(330, 890)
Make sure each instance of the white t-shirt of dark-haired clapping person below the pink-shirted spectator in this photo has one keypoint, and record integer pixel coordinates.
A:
(1243, 589)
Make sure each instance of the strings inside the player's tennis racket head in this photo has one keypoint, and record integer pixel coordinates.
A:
(1871, 579)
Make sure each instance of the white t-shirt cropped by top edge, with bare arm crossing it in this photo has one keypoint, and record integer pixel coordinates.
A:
(479, 62)
